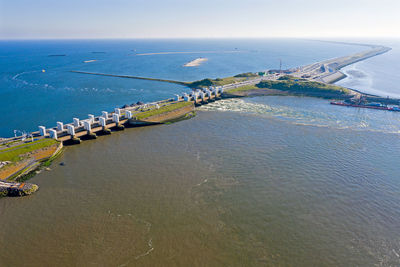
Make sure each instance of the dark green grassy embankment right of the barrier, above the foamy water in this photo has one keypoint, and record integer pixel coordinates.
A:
(288, 85)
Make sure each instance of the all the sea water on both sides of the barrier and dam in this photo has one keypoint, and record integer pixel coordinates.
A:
(261, 181)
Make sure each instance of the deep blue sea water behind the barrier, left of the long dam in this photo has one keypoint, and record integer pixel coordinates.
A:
(39, 89)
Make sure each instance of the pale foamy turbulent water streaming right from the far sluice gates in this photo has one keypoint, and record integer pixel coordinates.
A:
(312, 112)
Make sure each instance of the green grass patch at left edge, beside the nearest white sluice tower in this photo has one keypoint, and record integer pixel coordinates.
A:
(14, 153)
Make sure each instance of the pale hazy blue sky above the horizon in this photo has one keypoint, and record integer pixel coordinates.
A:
(85, 19)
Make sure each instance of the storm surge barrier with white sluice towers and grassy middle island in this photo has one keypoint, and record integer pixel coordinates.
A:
(128, 115)
